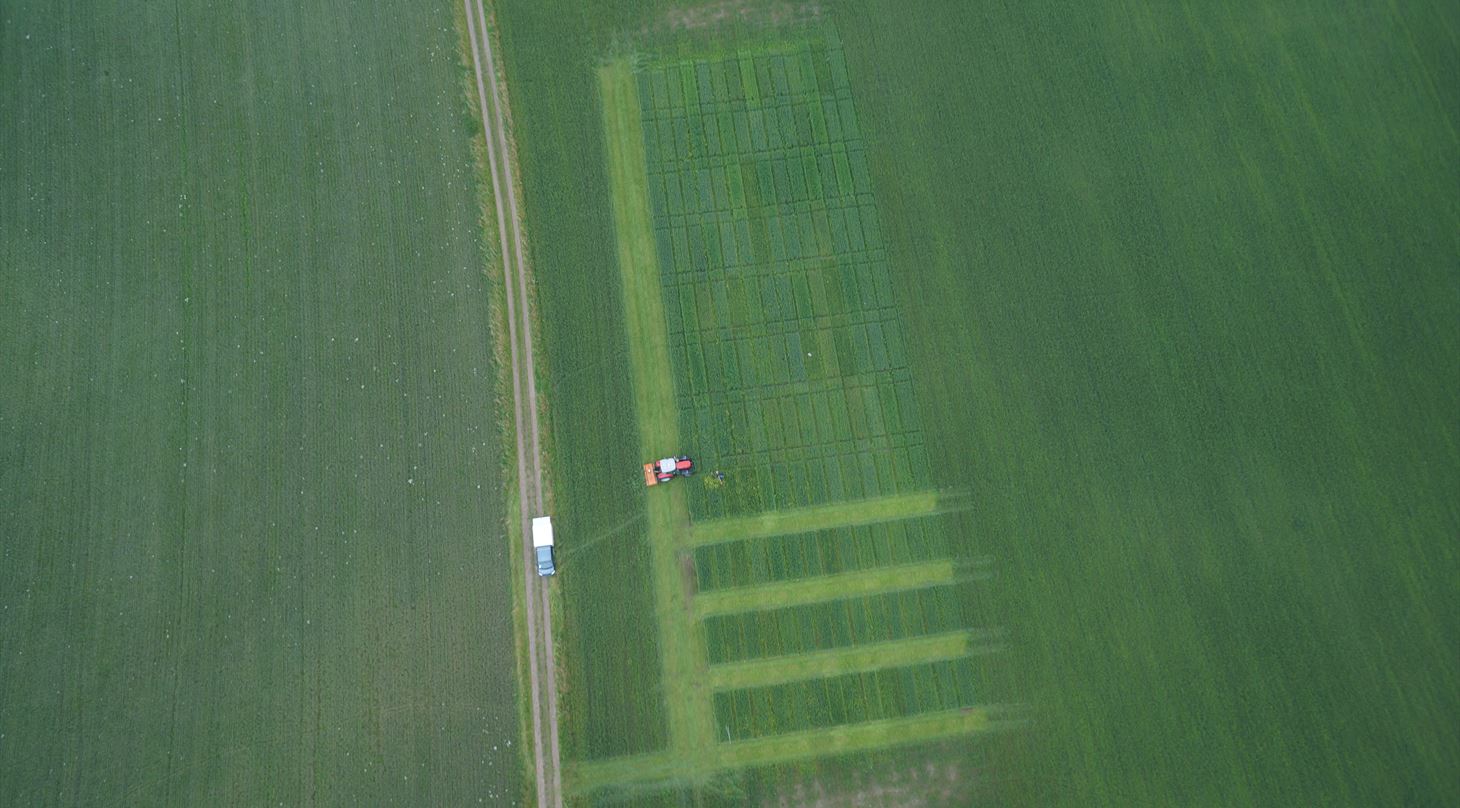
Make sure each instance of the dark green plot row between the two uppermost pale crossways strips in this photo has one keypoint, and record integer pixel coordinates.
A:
(818, 553)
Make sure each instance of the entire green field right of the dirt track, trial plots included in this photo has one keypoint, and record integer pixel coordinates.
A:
(1134, 331)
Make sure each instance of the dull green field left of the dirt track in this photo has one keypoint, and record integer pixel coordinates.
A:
(252, 537)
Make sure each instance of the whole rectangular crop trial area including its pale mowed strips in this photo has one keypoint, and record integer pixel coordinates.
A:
(738, 280)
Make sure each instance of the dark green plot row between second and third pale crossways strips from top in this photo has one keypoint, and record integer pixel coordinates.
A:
(833, 625)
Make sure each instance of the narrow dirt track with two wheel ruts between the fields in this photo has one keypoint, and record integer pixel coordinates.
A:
(525, 413)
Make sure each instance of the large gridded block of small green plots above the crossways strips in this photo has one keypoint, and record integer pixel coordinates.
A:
(788, 347)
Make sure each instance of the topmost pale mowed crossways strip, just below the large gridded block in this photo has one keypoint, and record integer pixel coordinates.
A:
(817, 518)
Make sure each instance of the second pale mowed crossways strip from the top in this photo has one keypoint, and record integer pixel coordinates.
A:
(824, 588)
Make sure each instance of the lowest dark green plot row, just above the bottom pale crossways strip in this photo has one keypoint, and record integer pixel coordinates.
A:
(855, 698)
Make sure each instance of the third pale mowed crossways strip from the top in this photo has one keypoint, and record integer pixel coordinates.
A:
(760, 673)
